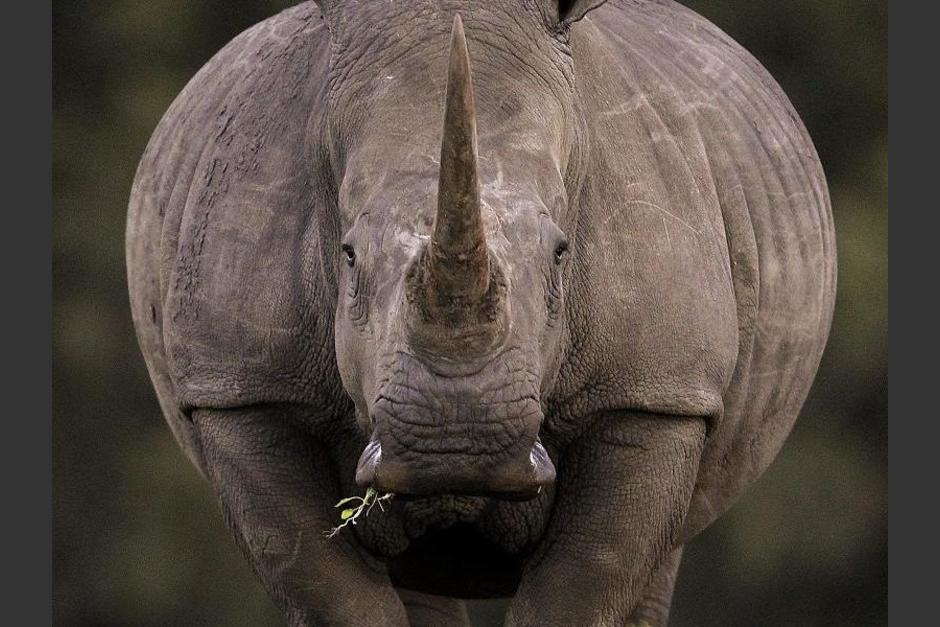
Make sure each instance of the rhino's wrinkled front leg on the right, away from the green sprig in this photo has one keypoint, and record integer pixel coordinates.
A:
(622, 495)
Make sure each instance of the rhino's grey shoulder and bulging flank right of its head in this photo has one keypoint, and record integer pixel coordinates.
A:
(710, 238)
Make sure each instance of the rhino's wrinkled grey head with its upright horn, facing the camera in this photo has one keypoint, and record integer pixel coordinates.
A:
(455, 174)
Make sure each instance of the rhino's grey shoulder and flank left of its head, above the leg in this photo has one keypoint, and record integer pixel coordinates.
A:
(225, 222)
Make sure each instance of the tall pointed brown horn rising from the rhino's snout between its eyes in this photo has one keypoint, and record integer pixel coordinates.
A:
(459, 257)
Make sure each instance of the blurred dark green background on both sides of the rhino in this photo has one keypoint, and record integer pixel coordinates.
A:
(138, 539)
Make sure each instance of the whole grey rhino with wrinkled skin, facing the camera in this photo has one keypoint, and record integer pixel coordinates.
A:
(281, 231)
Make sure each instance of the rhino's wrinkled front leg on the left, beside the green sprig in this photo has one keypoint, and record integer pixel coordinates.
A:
(277, 487)
